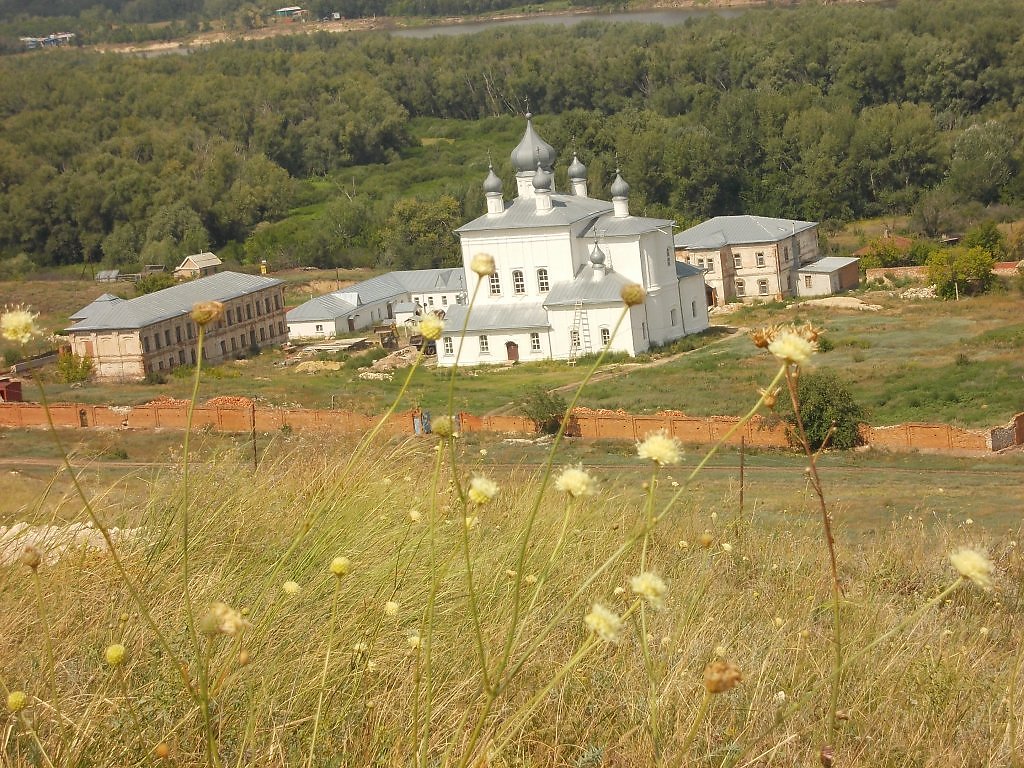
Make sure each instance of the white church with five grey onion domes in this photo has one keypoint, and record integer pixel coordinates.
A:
(562, 263)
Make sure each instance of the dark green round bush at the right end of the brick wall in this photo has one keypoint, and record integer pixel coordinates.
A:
(826, 403)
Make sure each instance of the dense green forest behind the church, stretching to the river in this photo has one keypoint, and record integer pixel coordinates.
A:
(818, 113)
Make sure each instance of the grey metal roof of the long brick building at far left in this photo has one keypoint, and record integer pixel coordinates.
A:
(173, 303)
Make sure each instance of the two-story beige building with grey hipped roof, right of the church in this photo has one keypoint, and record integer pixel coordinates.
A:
(749, 259)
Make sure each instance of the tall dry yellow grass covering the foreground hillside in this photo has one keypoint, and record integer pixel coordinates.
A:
(934, 695)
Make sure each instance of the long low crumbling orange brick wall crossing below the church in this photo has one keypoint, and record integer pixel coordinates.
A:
(690, 430)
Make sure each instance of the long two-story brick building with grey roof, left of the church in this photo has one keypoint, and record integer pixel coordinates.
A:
(129, 338)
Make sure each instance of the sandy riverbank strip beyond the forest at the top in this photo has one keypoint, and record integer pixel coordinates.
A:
(390, 23)
